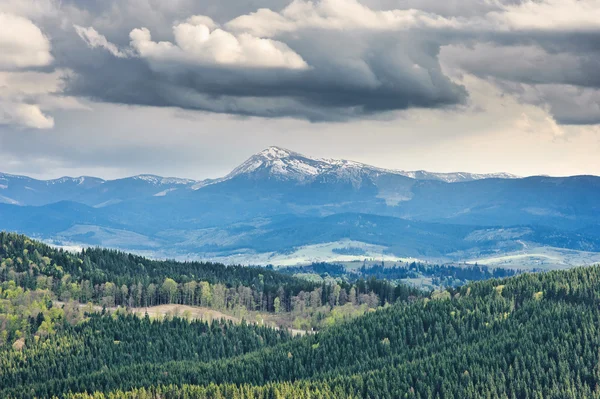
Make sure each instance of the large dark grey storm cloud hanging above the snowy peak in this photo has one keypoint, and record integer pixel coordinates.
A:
(393, 74)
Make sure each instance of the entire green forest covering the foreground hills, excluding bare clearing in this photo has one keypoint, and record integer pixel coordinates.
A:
(66, 331)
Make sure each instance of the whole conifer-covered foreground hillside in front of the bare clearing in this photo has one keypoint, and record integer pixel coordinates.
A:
(533, 335)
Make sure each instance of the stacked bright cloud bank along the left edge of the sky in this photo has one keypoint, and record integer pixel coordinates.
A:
(30, 85)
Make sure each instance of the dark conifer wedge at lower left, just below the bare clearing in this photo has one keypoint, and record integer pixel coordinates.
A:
(112, 341)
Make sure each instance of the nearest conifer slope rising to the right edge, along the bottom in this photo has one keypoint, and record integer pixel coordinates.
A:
(529, 336)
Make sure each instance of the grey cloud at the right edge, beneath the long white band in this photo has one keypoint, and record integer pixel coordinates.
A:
(561, 79)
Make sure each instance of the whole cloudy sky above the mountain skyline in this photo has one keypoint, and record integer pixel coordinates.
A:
(189, 88)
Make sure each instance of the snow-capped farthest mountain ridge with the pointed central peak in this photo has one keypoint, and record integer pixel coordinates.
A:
(274, 163)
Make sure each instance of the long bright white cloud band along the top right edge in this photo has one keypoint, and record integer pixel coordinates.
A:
(347, 15)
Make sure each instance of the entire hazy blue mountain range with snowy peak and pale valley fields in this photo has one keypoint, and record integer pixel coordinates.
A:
(280, 202)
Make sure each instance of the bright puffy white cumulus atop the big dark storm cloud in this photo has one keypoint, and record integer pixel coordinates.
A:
(196, 43)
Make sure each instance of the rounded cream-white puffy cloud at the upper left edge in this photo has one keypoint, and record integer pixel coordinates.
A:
(22, 43)
